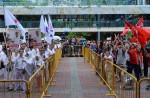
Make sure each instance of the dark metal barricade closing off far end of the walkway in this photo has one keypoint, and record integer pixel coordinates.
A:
(72, 50)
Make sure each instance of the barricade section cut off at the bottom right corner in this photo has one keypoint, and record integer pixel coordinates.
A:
(144, 88)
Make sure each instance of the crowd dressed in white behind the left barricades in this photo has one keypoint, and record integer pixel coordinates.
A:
(23, 61)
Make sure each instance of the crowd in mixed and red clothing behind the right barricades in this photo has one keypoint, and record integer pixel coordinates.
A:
(130, 56)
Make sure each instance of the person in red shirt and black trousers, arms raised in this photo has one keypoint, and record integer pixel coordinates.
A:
(134, 62)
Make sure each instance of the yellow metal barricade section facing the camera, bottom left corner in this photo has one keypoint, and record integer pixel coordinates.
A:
(5, 93)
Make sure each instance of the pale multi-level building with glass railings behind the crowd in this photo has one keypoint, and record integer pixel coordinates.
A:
(99, 16)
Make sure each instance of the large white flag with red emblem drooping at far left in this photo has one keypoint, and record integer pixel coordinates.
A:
(10, 19)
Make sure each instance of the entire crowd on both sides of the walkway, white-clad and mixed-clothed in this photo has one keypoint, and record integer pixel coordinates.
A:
(23, 61)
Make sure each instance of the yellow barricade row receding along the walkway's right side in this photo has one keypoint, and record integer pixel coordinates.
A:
(126, 87)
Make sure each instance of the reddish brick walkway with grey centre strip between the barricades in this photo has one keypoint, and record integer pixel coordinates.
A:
(76, 79)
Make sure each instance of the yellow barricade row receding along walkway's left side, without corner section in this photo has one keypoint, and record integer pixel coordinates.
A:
(43, 77)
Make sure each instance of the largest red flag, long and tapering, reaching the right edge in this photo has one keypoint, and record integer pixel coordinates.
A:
(142, 35)
